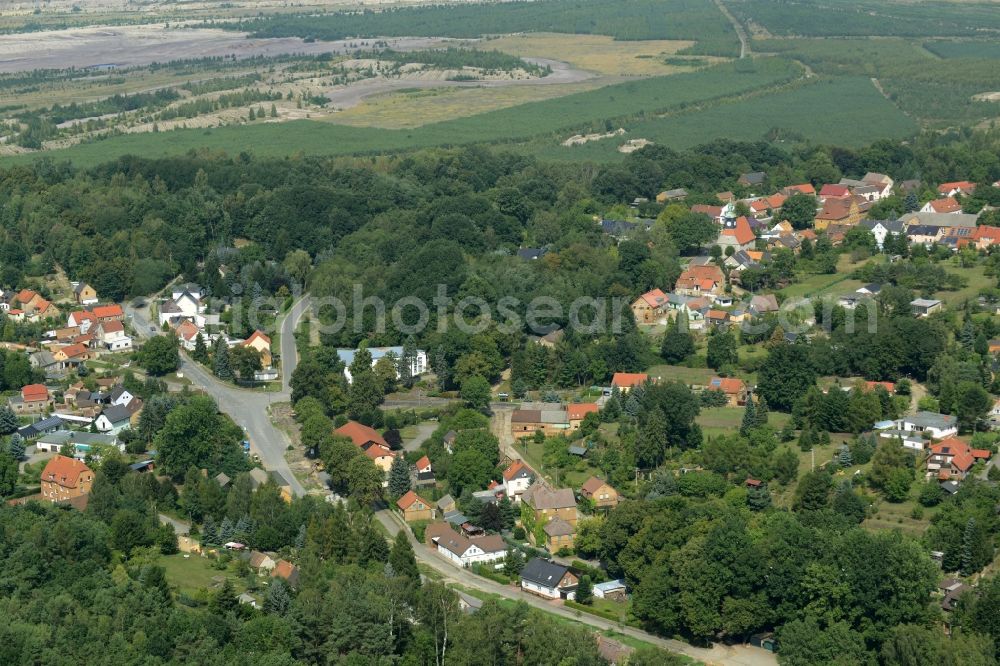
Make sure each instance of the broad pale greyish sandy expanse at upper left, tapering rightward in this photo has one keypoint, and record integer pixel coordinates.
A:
(144, 44)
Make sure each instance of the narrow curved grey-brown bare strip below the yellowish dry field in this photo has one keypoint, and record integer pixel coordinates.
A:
(355, 93)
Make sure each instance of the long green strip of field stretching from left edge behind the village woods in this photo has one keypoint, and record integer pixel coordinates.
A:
(556, 117)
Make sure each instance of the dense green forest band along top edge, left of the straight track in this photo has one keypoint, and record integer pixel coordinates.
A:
(635, 19)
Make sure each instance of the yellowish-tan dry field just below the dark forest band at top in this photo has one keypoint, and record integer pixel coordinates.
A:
(596, 53)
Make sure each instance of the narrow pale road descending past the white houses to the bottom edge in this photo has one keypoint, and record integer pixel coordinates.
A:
(730, 655)
